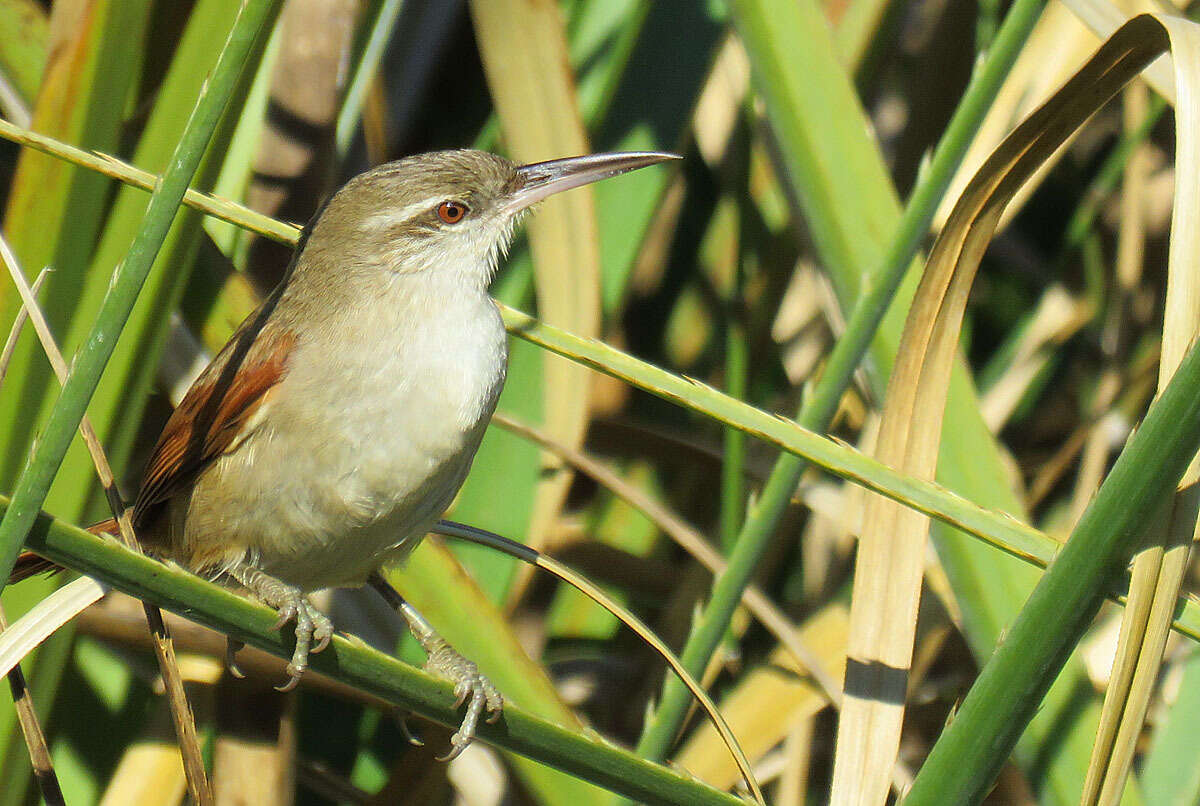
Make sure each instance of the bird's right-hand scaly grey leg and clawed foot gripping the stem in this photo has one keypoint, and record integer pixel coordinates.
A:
(445, 663)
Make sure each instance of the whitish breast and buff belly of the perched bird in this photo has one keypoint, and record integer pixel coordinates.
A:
(364, 480)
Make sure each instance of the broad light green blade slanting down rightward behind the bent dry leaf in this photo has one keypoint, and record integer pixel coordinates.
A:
(851, 209)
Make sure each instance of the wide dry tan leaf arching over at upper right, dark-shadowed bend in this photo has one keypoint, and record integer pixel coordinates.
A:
(891, 557)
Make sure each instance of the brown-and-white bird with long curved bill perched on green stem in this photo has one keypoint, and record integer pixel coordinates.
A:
(340, 420)
